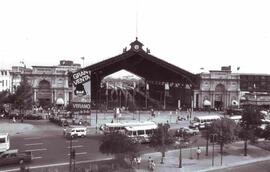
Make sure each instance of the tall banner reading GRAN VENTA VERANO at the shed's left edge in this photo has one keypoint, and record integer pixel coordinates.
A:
(81, 94)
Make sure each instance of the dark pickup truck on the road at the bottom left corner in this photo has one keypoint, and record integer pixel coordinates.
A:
(14, 157)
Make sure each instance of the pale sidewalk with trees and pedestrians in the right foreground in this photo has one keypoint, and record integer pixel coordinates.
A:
(233, 156)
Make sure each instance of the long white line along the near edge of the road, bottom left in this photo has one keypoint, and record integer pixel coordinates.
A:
(59, 164)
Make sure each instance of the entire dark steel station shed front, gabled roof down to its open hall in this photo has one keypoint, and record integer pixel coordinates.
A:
(163, 86)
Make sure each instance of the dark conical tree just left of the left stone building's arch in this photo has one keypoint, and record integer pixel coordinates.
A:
(23, 95)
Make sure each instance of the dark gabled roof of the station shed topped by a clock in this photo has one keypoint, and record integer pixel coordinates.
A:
(143, 64)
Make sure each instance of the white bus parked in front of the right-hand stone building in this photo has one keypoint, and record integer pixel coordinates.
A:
(201, 121)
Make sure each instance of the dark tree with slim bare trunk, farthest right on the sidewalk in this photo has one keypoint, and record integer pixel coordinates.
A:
(251, 120)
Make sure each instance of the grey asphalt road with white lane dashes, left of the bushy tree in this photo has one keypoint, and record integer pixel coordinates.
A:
(52, 148)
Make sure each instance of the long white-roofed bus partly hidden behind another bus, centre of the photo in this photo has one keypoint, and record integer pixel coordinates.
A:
(120, 126)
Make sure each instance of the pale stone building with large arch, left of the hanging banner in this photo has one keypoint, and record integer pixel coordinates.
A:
(50, 83)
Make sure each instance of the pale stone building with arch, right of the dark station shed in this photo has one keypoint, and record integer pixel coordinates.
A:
(219, 89)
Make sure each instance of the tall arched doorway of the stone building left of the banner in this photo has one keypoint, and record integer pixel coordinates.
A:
(44, 93)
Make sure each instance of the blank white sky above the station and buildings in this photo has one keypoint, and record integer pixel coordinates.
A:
(191, 34)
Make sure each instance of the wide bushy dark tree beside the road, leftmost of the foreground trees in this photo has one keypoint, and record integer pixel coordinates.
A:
(119, 145)
